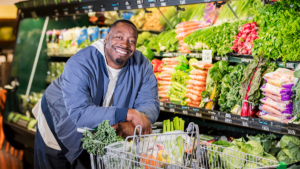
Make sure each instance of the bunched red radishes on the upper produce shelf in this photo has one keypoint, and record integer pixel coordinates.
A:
(243, 44)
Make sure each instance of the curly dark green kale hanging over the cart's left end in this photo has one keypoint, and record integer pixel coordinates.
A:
(95, 143)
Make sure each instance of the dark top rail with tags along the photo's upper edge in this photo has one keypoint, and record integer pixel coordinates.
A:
(73, 7)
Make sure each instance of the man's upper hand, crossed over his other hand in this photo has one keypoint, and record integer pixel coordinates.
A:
(138, 118)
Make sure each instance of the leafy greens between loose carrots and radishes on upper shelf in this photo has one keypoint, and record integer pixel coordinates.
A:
(219, 39)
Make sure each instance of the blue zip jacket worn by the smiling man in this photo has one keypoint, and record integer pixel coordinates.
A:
(75, 98)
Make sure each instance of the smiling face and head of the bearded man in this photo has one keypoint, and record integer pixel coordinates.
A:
(120, 44)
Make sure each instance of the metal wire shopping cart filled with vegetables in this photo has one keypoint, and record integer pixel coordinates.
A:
(176, 150)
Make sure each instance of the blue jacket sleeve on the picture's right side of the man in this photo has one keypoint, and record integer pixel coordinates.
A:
(147, 98)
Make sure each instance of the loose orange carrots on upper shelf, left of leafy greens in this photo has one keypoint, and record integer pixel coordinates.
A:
(186, 28)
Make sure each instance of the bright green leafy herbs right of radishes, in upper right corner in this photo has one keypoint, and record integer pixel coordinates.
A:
(279, 35)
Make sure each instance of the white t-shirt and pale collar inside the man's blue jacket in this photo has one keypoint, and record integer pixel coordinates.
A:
(112, 73)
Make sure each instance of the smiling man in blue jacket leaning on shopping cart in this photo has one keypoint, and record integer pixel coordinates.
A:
(107, 81)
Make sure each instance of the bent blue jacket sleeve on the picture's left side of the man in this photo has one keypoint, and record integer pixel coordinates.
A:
(78, 100)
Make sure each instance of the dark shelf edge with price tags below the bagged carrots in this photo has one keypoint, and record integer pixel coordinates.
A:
(232, 119)
